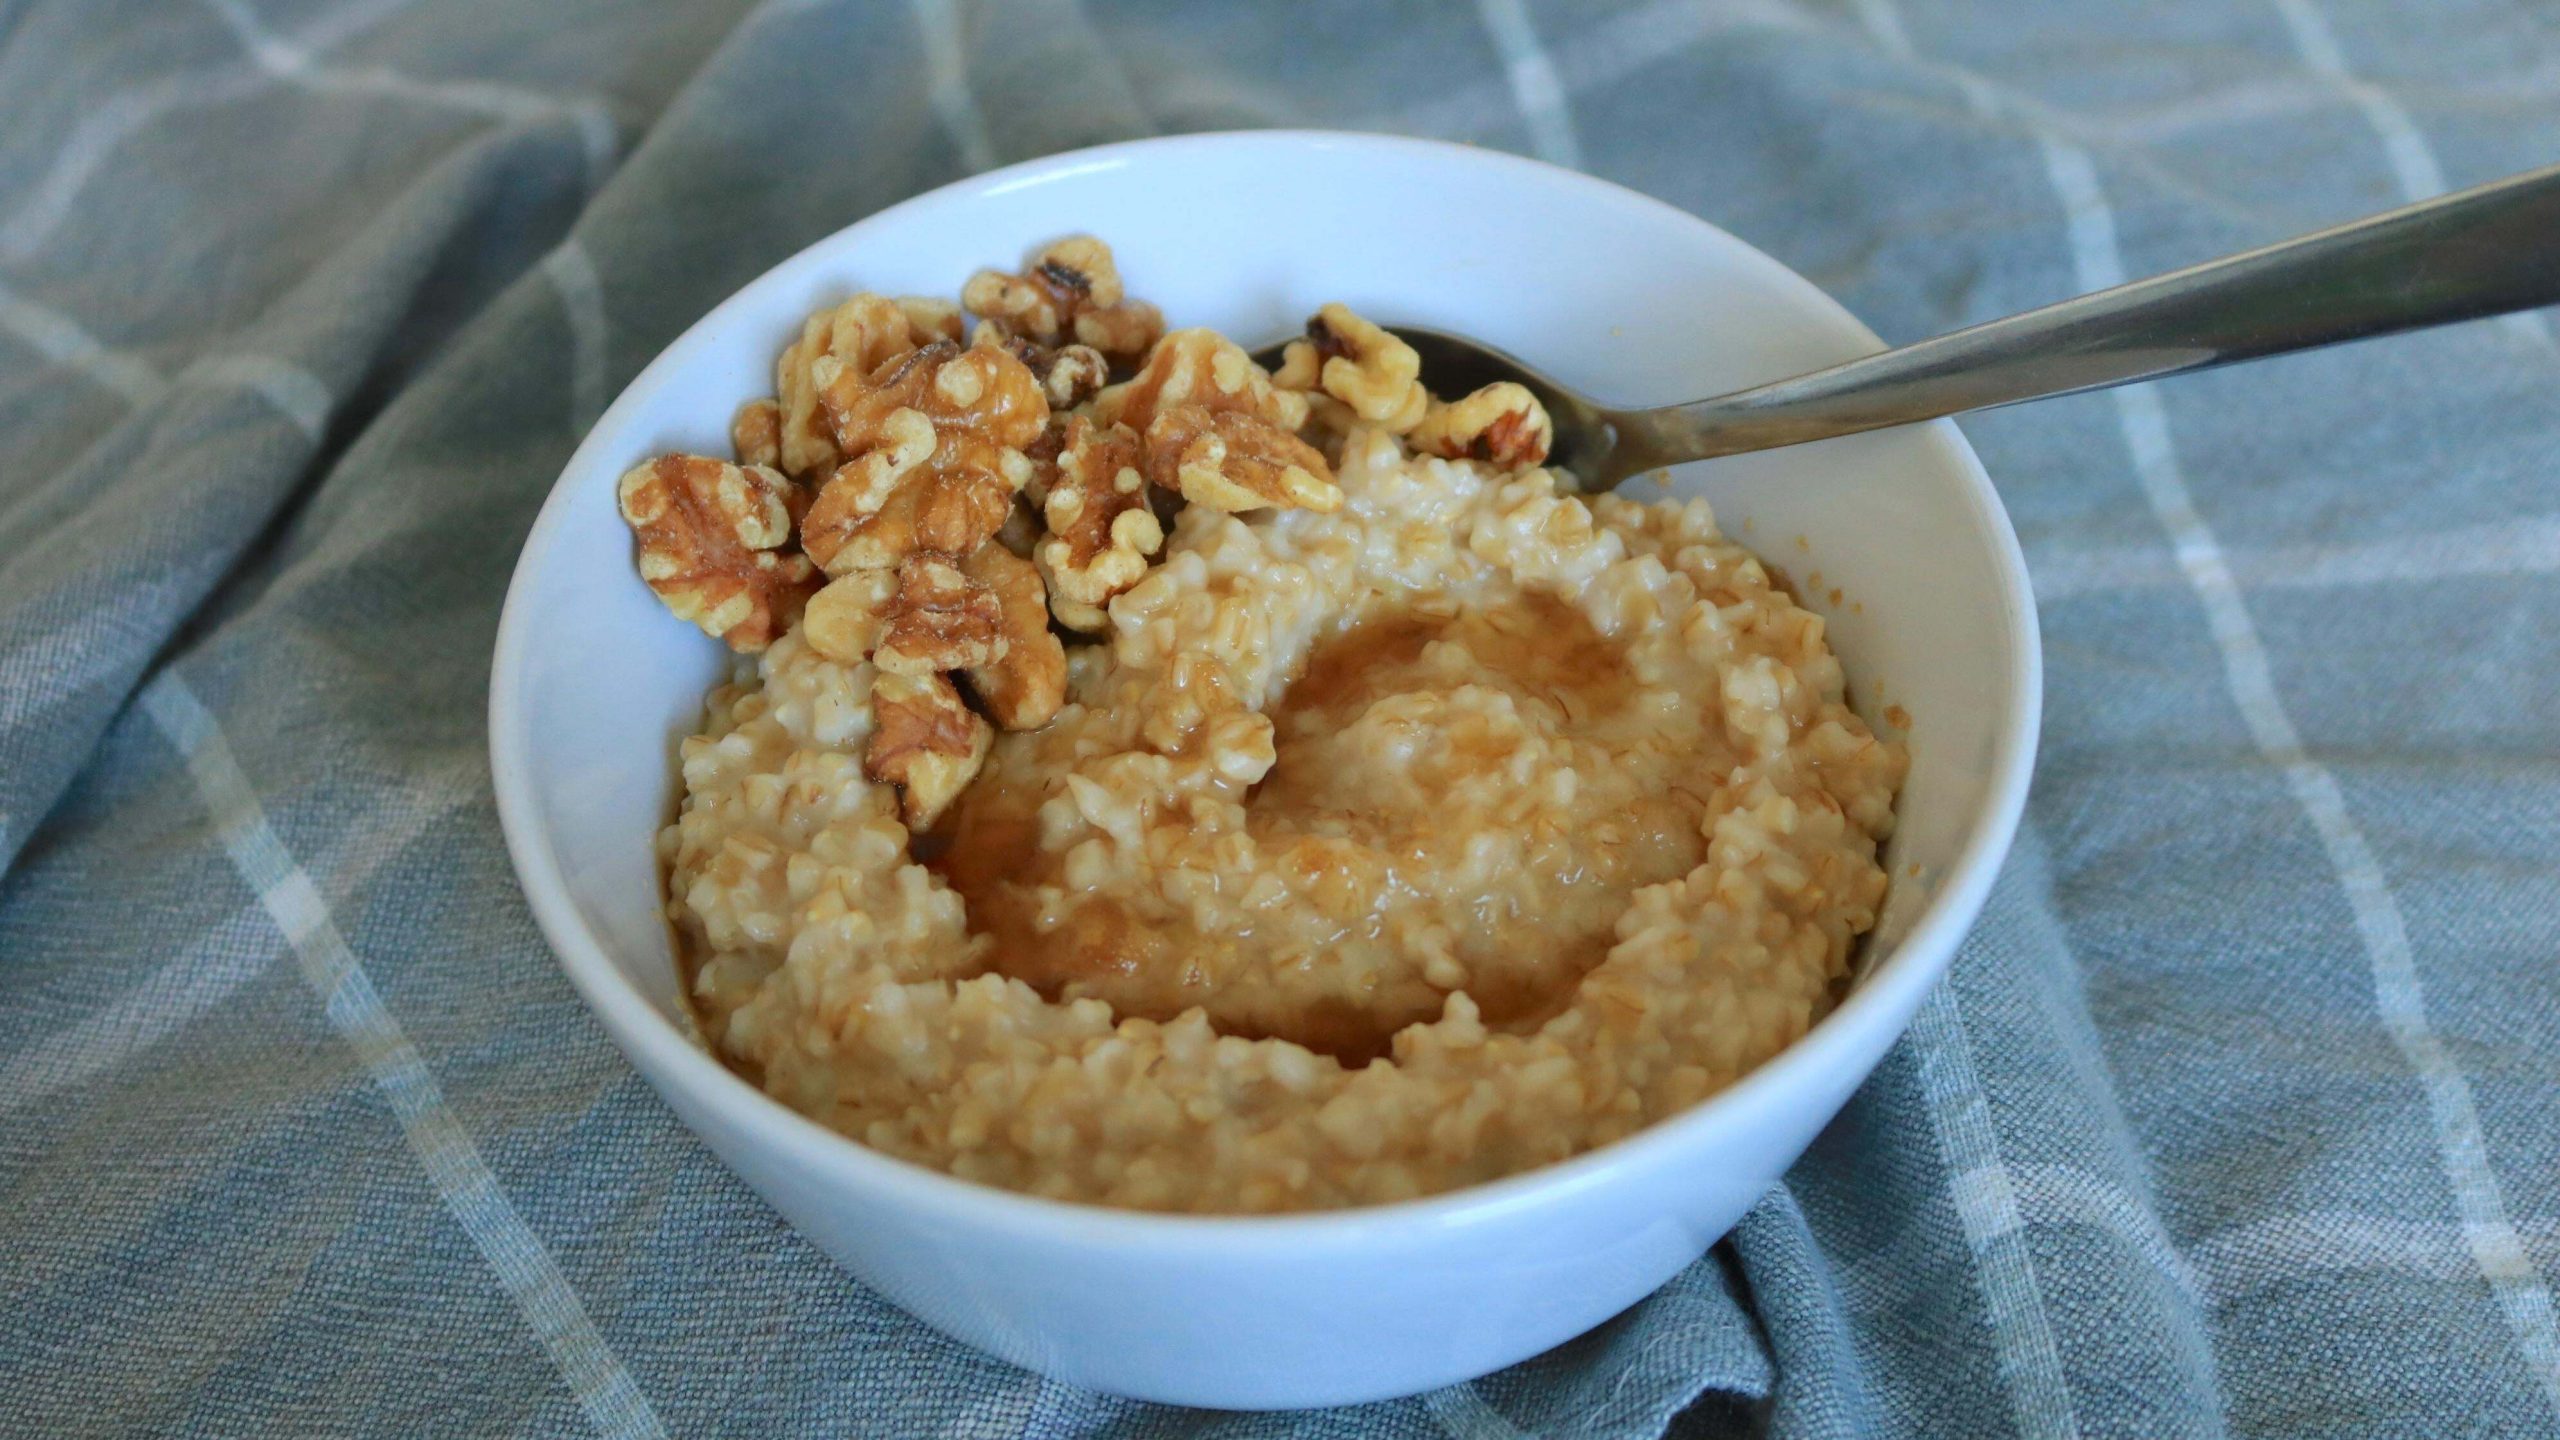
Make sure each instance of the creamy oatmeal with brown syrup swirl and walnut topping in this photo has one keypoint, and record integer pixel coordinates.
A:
(1391, 819)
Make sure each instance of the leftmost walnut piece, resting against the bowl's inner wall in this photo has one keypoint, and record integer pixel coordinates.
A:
(713, 544)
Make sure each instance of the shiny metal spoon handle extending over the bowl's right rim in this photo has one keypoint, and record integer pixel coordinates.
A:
(2477, 252)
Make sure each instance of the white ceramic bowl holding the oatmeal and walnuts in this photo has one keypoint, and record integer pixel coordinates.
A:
(1609, 291)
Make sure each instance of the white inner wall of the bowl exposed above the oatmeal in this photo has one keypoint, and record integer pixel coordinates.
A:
(1606, 291)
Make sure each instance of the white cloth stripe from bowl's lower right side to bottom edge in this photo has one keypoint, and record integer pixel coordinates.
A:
(1985, 1195)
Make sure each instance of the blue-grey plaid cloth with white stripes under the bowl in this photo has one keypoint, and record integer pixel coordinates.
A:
(2241, 1113)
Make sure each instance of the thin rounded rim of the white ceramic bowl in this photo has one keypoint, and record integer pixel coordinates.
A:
(669, 1057)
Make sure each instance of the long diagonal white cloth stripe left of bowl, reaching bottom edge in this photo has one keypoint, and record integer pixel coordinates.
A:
(462, 1177)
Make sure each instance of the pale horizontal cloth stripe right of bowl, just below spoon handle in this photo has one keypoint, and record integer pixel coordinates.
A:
(2523, 547)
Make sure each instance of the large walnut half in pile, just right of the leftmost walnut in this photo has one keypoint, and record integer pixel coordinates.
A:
(936, 442)
